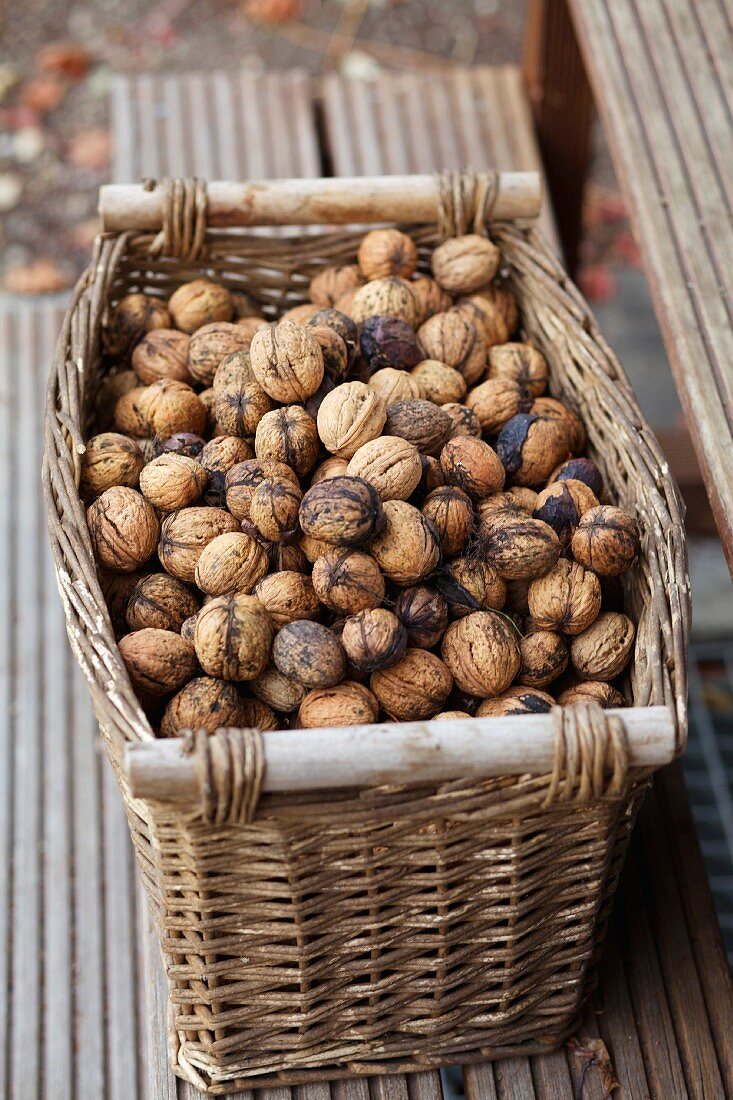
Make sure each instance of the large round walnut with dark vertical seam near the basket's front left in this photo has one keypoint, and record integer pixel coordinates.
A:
(234, 637)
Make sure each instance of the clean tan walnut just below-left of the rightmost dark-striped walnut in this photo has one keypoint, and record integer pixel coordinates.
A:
(567, 599)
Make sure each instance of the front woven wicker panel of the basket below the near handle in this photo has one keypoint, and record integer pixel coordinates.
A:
(406, 927)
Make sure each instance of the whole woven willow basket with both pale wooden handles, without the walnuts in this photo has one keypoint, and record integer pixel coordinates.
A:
(337, 903)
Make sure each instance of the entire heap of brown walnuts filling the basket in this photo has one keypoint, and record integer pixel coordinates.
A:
(369, 509)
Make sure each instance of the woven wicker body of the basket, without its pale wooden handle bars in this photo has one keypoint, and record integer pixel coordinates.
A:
(369, 931)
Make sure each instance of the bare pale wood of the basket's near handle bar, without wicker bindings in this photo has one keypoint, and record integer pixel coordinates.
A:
(412, 752)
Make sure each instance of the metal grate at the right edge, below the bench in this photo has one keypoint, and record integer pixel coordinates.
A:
(708, 767)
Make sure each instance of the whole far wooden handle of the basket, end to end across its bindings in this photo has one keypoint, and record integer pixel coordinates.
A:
(502, 196)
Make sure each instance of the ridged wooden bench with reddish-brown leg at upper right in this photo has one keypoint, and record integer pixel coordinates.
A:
(661, 76)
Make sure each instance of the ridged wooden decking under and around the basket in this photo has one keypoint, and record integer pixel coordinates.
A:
(85, 1016)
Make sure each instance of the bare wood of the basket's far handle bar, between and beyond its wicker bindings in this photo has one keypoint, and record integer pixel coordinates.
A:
(337, 202)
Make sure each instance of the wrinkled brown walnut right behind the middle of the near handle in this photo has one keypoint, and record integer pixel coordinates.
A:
(413, 689)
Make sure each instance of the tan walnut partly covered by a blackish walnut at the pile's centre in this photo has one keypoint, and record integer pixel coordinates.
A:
(408, 549)
